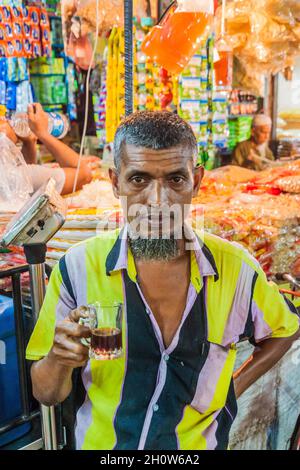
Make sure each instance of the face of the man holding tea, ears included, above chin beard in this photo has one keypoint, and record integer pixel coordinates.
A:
(150, 182)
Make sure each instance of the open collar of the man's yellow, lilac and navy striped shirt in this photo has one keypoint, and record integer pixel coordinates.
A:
(202, 260)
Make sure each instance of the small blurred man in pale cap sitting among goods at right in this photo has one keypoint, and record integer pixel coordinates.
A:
(255, 153)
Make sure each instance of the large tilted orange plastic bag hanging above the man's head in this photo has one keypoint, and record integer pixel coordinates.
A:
(176, 38)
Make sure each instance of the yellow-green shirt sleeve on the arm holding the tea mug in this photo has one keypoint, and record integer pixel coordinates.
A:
(57, 305)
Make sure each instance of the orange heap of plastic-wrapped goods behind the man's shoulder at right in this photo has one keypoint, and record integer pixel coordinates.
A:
(259, 210)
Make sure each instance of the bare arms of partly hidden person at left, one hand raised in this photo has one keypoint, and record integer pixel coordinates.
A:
(64, 155)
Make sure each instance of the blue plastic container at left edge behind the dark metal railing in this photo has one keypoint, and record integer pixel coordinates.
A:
(9, 375)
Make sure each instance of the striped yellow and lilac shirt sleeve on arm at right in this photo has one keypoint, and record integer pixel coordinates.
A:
(272, 315)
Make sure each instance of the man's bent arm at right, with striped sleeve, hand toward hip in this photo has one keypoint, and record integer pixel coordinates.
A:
(275, 326)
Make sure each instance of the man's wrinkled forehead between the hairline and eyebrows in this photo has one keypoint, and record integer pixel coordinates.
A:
(134, 154)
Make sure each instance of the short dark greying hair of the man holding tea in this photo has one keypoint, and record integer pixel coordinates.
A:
(157, 130)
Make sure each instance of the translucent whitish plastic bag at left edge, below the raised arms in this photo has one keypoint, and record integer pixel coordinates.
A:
(15, 184)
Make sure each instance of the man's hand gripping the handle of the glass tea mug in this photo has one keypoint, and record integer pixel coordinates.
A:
(67, 350)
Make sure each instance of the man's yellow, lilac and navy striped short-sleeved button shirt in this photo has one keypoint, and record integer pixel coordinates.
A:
(180, 397)
